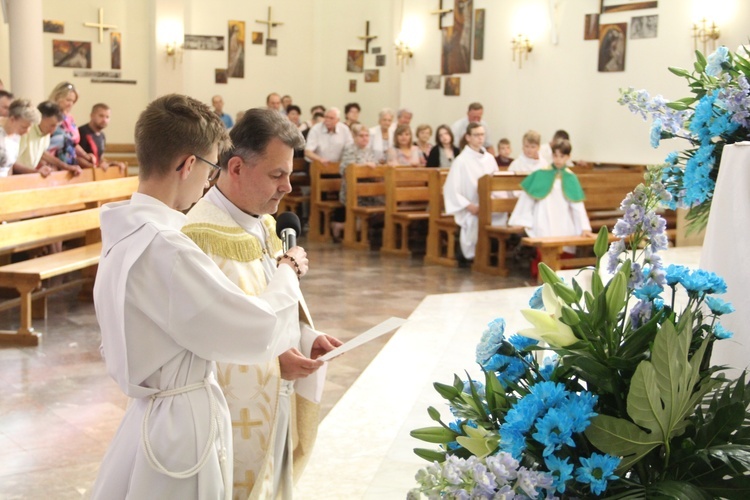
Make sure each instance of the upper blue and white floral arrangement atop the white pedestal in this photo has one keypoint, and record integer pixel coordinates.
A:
(718, 113)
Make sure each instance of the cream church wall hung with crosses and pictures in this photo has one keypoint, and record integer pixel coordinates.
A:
(558, 87)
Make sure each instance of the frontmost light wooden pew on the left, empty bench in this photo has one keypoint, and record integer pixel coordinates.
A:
(27, 276)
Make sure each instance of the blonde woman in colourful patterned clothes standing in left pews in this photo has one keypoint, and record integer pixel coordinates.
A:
(64, 142)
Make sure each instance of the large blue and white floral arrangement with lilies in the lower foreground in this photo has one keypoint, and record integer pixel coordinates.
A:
(622, 402)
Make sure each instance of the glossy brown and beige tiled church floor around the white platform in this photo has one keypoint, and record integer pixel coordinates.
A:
(59, 409)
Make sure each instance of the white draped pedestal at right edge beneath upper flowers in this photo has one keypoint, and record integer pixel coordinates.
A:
(726, 252)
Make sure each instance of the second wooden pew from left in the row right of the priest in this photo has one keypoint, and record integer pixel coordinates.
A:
(361, 182)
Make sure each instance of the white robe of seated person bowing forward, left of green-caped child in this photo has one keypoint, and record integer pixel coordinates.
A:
(461, 189)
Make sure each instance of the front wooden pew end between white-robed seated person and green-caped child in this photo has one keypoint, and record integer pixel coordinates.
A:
(492, 241)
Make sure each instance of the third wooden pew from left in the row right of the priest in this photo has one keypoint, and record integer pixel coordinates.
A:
(407, 198)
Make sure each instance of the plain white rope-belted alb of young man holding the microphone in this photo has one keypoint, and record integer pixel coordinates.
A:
(167, 312)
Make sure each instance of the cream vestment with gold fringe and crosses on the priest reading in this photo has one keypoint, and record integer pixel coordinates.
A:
(274, 427)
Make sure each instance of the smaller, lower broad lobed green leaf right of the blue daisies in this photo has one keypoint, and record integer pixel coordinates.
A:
(621, 438)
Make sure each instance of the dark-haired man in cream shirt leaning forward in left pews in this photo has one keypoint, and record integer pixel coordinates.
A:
(35, 143)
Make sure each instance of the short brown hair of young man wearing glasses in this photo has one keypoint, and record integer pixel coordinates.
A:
(174, 126)
